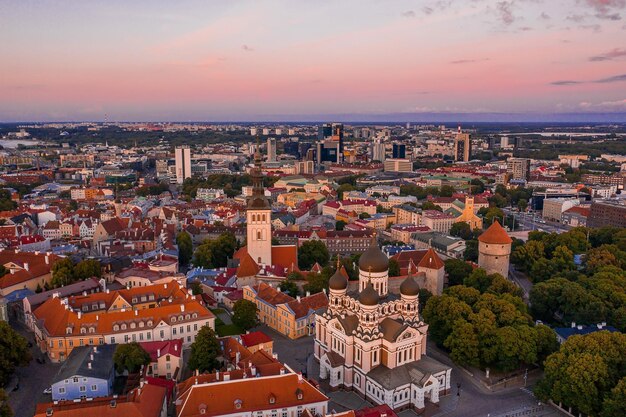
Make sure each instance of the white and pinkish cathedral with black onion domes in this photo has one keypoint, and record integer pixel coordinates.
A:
(374, 342)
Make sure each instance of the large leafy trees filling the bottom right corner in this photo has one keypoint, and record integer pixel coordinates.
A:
(588, 373)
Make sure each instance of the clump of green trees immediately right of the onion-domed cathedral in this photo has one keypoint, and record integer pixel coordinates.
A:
(484, 323)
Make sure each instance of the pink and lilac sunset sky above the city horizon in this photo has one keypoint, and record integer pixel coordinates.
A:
(150, 60)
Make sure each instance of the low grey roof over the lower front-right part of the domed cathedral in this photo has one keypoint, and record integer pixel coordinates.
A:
(416, 372)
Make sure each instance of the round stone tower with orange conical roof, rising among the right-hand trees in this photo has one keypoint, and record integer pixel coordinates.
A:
(494, 250)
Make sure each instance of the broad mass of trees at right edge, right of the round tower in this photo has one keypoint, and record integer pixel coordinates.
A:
(591, 290)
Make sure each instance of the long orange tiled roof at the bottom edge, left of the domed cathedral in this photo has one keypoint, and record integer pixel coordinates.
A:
(247, 395)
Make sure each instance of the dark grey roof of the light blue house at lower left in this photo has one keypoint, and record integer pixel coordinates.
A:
(77, 363)
